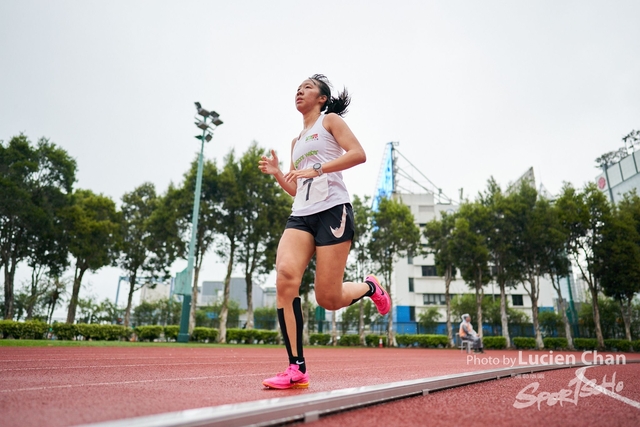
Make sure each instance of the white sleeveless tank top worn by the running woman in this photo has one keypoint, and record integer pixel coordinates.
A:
(319, 193)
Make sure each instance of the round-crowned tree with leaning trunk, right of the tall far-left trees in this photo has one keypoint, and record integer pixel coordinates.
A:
(93, 226)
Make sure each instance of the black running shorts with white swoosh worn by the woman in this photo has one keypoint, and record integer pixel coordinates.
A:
(335, 225)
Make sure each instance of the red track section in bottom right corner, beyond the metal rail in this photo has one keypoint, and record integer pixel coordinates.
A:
(514, 402)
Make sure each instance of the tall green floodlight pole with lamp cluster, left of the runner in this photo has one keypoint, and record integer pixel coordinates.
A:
(183, 336)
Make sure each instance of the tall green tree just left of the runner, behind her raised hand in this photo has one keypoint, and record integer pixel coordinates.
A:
(264, 210)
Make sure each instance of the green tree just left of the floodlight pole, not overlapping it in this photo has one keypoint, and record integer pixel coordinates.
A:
(144, 242)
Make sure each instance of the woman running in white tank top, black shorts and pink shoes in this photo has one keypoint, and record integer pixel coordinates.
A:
(321, 220)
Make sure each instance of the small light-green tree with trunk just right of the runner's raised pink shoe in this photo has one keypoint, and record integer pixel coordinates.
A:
(394, 235)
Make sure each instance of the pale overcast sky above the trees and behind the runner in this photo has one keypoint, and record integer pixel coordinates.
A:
(468, 89)
